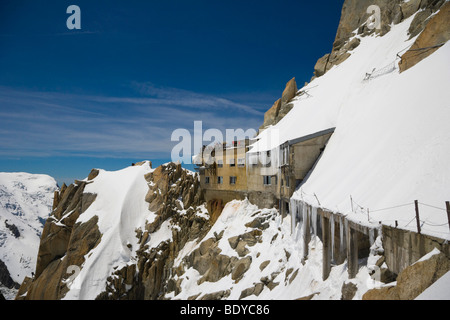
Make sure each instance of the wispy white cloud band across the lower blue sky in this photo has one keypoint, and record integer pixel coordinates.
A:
(56, 124)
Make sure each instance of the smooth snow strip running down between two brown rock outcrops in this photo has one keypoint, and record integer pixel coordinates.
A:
(121, 208)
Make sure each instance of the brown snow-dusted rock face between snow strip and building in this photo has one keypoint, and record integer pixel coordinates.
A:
(175, 196)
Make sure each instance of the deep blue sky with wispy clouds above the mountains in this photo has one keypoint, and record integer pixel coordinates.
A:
(113, 92)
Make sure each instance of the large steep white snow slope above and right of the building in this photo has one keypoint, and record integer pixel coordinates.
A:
(391, 145)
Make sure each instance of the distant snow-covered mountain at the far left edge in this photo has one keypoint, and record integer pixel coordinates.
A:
(25, 201)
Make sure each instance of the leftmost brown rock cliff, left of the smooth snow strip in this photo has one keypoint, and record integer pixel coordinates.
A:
(64, 243)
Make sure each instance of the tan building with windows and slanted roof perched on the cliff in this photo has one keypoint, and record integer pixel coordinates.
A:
(268, 178)
